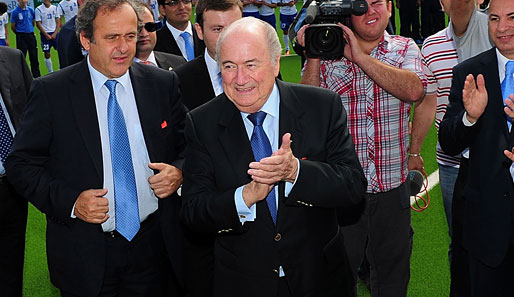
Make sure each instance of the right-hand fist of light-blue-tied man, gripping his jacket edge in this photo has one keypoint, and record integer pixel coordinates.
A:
(167, 181)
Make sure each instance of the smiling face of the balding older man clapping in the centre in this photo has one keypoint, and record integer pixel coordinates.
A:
(247, 70)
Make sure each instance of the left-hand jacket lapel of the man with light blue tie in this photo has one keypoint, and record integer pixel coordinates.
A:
(84, 109)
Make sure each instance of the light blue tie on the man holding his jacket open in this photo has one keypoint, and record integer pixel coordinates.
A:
(125, 190)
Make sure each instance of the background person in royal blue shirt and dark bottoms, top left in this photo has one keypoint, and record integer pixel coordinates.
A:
(22, 24)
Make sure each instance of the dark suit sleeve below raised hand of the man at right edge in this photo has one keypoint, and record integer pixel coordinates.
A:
(454, 136)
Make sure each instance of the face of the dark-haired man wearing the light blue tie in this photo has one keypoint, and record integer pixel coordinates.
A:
(114, 45)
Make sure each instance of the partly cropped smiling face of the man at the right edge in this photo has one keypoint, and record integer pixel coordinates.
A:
(501, 26)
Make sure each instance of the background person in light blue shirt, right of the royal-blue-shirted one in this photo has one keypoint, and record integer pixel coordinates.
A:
(48, 23)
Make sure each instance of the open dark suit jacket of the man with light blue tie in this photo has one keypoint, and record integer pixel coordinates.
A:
(57, 155)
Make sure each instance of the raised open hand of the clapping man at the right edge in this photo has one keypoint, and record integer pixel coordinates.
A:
(474, 97)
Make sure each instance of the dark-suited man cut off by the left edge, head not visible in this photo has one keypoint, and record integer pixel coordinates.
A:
(14, 88)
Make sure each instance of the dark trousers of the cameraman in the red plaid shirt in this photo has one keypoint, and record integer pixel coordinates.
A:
(384, 234)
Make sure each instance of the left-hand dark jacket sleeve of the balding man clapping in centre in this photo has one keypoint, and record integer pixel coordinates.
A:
(205, 208)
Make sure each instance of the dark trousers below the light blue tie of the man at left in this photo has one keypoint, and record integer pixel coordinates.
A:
(136, 268)
